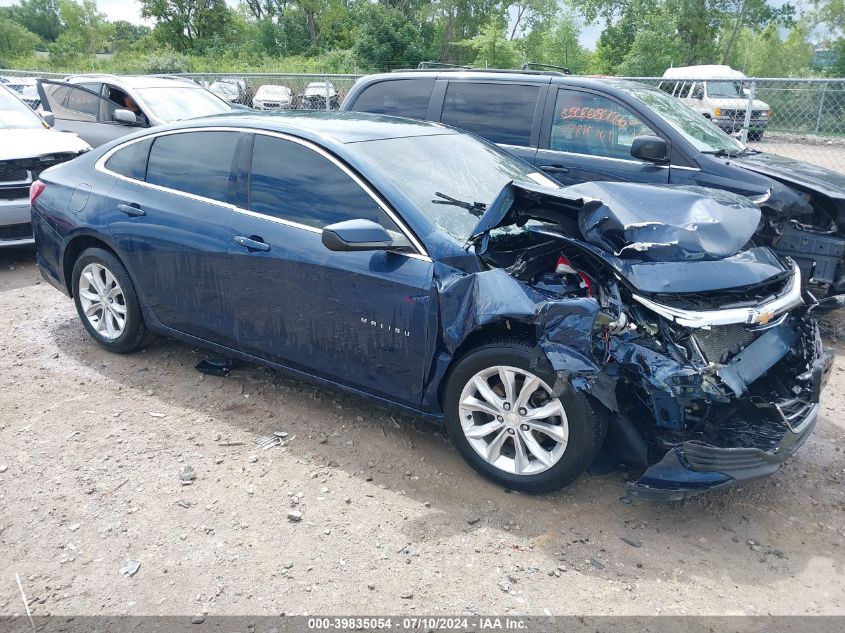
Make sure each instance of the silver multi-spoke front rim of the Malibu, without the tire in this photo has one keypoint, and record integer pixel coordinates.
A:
(511, 419)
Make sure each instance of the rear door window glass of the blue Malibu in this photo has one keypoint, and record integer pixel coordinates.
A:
(193, 162)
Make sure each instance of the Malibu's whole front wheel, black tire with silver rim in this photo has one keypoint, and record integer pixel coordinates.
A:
(577, 425)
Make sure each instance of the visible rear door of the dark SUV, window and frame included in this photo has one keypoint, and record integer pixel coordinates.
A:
(504, 112)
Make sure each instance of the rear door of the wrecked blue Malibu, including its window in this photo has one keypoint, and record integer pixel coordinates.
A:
(170, 215)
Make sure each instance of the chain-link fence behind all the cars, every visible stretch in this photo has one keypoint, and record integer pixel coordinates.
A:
(798, 118)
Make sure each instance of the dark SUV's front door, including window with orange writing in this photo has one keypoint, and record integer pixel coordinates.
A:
(587, 136)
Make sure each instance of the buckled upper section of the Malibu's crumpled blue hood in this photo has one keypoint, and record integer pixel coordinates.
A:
(665, 224)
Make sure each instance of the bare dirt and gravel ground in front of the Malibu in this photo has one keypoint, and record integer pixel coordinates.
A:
(393, 522)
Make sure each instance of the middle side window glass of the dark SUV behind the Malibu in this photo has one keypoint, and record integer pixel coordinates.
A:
(500, 112)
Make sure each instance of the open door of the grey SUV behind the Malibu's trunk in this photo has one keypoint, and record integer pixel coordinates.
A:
(81, 111)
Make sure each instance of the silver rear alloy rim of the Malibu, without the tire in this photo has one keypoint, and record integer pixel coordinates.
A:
(103, 302)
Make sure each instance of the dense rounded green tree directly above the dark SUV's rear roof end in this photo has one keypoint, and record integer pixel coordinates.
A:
(386, 39)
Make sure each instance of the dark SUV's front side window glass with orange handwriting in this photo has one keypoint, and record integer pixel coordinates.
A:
(586, 123)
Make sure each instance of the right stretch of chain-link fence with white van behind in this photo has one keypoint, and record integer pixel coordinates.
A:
(799, 118)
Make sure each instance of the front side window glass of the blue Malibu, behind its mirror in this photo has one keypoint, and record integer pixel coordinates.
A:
(293, 182)
